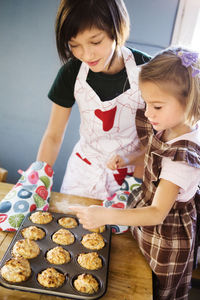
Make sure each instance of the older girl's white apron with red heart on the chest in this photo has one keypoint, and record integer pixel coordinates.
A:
(106, 128)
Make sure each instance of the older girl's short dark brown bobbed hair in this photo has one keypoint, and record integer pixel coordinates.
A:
(74, 16)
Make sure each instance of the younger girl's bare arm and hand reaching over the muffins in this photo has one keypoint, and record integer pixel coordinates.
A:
(95, 216)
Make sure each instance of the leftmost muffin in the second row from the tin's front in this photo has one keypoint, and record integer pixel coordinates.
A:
(26, 248)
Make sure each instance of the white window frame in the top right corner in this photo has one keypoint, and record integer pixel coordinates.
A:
(186, 21)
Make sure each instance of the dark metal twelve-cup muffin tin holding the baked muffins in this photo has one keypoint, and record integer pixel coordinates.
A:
(71, 269)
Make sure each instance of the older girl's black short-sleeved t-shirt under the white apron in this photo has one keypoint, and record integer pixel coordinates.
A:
(106, 86)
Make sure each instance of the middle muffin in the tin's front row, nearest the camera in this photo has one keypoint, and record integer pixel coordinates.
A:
(51, 278)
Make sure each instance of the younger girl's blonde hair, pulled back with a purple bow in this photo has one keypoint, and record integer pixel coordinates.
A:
(167, 71)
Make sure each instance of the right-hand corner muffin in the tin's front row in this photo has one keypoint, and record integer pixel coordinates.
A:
(86, 283)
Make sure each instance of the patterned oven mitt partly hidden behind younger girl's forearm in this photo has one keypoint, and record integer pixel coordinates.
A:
(120, 198)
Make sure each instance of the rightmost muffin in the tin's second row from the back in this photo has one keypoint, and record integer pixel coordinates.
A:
(93, 241)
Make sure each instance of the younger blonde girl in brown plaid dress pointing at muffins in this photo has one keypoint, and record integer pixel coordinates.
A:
(162, 212)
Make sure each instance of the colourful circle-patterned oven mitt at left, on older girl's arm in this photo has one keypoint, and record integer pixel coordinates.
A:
(31, 192)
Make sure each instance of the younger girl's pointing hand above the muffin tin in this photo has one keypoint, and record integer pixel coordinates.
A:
(90, 216)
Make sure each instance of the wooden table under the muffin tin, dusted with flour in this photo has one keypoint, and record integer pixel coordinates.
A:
(129, 278)
